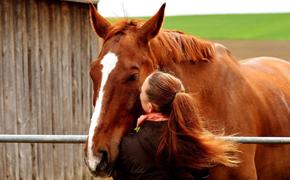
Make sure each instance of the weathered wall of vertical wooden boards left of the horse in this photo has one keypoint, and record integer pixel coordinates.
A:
(45, 51)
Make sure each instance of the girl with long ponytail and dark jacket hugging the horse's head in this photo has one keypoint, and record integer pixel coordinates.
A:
(170, 141)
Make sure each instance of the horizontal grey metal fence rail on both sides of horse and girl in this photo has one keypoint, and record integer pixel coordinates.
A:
(73, 139)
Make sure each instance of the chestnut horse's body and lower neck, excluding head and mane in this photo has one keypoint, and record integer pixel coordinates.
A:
(250, 98)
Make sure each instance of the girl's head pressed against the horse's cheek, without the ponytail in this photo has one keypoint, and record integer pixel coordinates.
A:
(158, 92)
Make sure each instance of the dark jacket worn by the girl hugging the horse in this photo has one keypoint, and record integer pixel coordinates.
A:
(137, 158)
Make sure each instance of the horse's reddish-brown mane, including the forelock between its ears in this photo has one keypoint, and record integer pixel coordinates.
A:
(169, 44)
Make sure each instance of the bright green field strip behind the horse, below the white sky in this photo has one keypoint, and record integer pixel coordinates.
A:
(240, 27)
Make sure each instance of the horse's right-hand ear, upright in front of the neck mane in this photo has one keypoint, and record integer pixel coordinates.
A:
(151, 27)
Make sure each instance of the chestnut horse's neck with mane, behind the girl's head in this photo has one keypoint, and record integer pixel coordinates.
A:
(206, 73)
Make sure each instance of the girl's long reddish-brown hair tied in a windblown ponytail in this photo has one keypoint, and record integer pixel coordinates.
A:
(186, 143)
